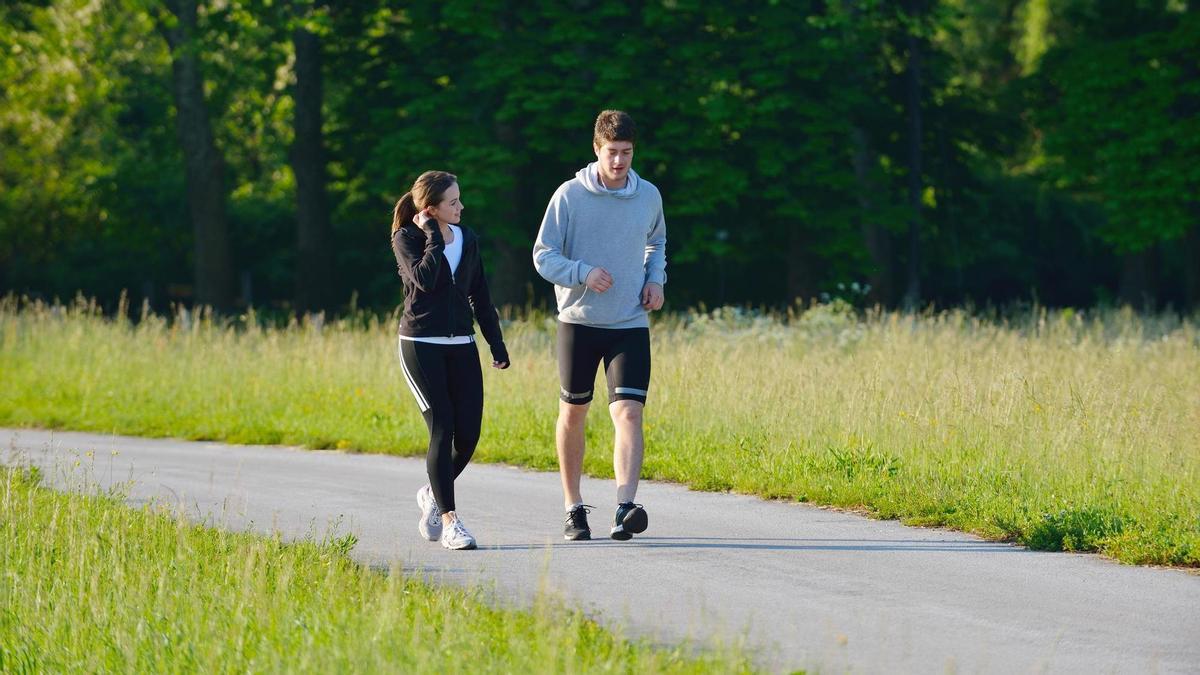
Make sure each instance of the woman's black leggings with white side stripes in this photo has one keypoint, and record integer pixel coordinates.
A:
(448, 385)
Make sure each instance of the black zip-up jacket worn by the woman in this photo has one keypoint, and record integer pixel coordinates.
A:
(440, 304)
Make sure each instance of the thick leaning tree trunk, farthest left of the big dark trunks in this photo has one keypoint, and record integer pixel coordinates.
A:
(203, 163)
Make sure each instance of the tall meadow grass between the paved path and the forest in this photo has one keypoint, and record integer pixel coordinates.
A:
(1053, 429)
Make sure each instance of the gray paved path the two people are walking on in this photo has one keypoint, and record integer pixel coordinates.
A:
(807, 588)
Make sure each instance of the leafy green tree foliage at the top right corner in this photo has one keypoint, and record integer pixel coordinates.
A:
(1119, 109)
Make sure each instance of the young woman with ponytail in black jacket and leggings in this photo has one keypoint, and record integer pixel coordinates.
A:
(445, 295)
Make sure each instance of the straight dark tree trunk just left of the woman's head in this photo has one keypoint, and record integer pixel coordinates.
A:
(314, 270)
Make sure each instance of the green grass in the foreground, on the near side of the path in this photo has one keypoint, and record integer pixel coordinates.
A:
(93, 587)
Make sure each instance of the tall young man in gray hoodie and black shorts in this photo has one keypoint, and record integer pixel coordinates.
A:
(603, 246)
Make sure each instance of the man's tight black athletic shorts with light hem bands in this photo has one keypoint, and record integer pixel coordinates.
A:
(626, 354)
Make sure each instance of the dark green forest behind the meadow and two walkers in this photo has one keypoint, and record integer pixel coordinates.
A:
(250, 152)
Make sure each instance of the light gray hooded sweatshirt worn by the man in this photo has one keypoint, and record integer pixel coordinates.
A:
(622, 231)
